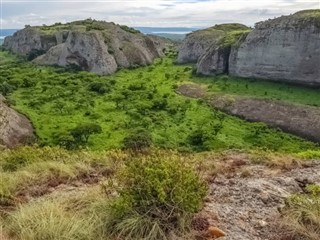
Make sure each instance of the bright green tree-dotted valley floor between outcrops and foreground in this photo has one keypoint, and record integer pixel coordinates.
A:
(57, 101)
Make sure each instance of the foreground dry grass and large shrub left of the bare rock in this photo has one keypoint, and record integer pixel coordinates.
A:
(139, 197)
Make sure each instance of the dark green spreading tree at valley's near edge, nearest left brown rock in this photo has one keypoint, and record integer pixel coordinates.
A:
(82, 132)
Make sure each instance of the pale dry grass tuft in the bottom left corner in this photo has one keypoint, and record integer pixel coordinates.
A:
(48, 221)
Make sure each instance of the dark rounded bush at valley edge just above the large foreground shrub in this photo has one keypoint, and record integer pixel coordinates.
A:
(138, 140)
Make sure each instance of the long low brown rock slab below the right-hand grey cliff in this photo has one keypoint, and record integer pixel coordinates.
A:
(301, 120)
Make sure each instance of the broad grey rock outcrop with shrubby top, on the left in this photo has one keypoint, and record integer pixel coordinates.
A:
(95, 46)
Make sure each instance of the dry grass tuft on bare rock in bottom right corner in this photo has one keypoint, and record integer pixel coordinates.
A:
(301, 215)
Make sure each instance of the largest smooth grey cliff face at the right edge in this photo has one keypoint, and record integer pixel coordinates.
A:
(285, 48)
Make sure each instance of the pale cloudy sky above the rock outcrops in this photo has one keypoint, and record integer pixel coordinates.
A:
(152, 13)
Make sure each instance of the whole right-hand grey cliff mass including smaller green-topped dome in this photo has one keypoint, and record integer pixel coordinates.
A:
(284, 49)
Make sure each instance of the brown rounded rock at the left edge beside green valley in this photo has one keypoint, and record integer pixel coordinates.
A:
(15, 129)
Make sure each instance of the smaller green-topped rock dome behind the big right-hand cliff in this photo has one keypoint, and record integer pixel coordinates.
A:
(197, 44)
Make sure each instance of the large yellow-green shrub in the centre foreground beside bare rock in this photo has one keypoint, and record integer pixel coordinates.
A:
(156, 196)
